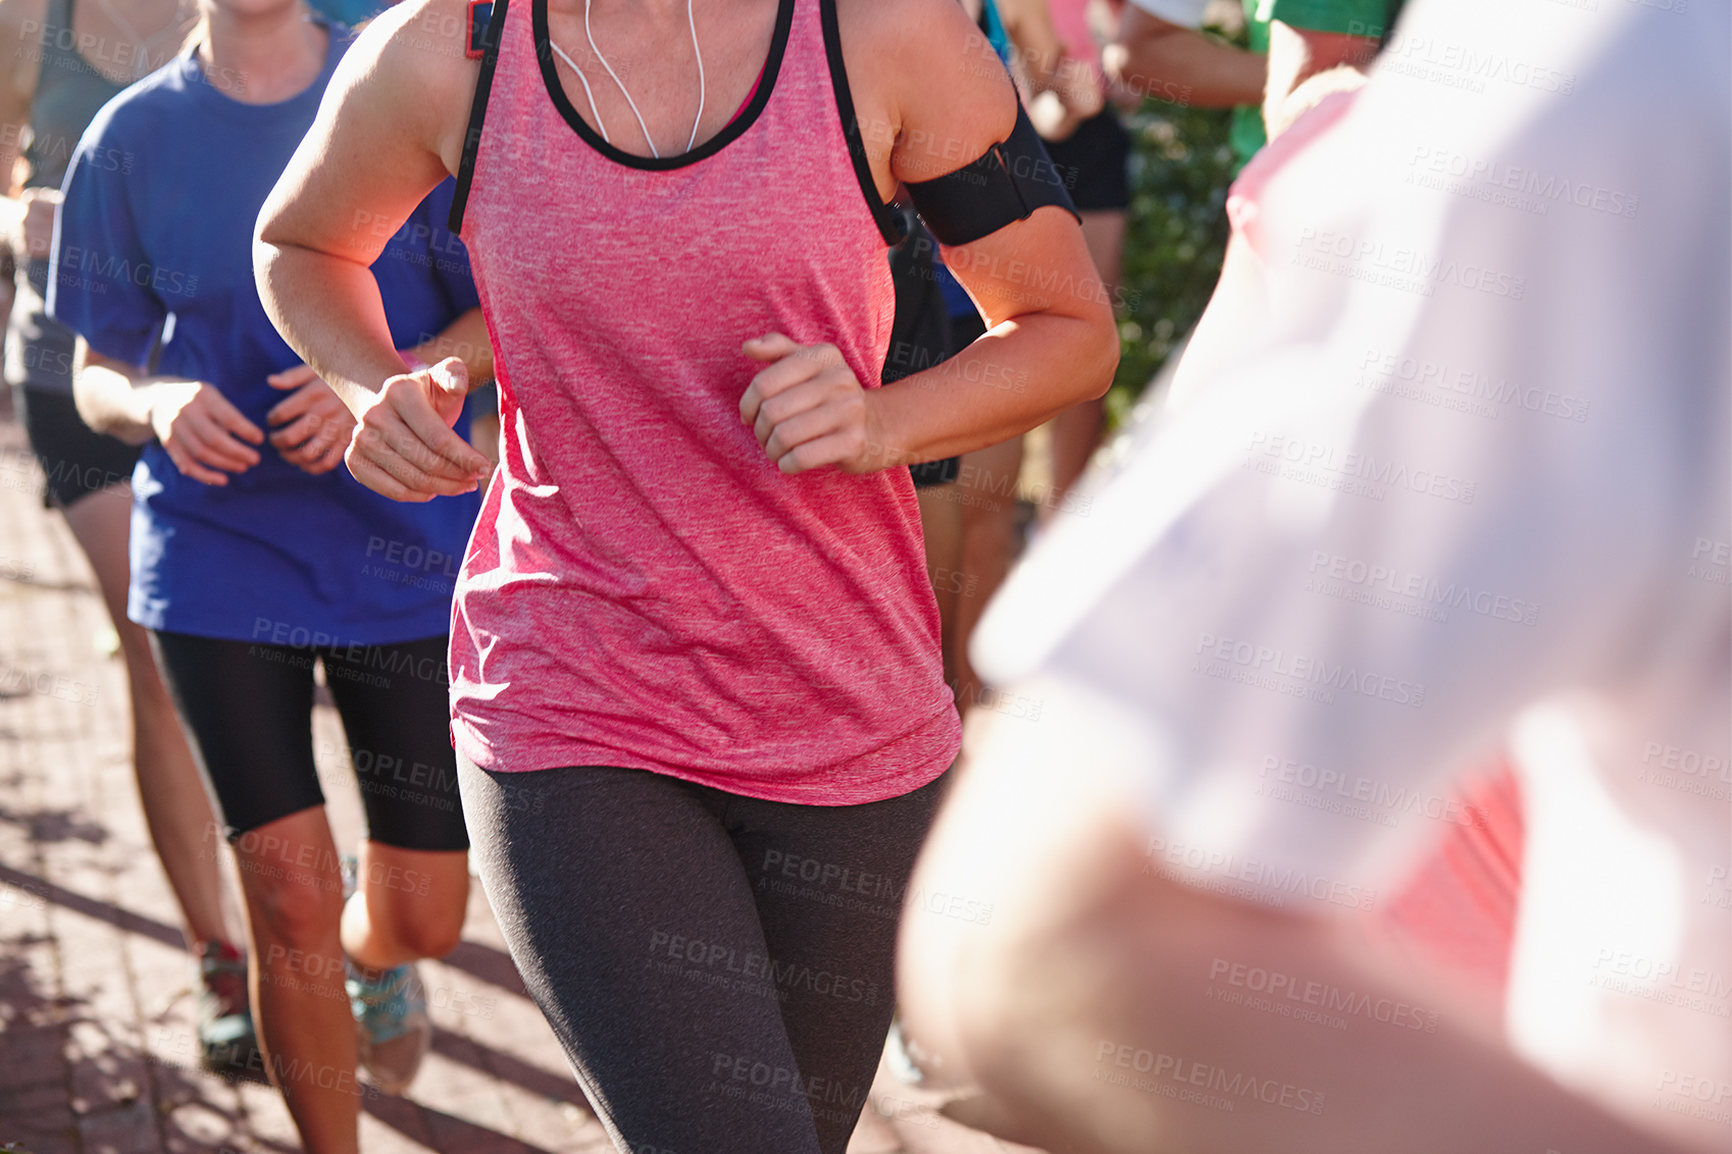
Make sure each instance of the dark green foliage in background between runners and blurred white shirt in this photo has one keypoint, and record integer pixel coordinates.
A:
(1180, 169)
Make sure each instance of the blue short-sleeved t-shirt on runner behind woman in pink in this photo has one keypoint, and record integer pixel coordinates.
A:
(155, 266)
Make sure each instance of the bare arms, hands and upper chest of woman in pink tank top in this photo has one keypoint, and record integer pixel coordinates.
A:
(926, 103)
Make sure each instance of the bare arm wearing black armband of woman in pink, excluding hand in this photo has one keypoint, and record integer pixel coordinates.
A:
(929, 105)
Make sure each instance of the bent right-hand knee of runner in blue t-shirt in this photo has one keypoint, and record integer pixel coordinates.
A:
(410, 905)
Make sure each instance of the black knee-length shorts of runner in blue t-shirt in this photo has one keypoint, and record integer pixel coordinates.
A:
(249, 710)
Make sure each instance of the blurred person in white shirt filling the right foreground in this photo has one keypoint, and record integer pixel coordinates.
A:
(1471, 491)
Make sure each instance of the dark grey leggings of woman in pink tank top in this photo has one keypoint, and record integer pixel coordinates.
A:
(718, 969)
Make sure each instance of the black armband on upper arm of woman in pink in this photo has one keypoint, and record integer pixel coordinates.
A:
(1007, 185)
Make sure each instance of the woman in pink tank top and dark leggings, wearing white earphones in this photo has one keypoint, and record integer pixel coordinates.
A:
(697, 689)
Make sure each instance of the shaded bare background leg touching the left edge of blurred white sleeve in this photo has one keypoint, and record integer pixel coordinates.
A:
(988, 495)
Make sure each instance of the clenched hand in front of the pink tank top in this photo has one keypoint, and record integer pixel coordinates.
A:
(808, 410)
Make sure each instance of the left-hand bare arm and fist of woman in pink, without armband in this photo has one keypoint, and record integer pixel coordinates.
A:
(389, 131)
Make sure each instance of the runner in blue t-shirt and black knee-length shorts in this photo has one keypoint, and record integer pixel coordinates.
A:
(255, 557)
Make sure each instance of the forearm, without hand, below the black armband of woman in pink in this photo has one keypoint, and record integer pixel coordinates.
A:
(1019, 375)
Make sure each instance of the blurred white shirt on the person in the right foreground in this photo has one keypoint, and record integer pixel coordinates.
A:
(1471, 491)
